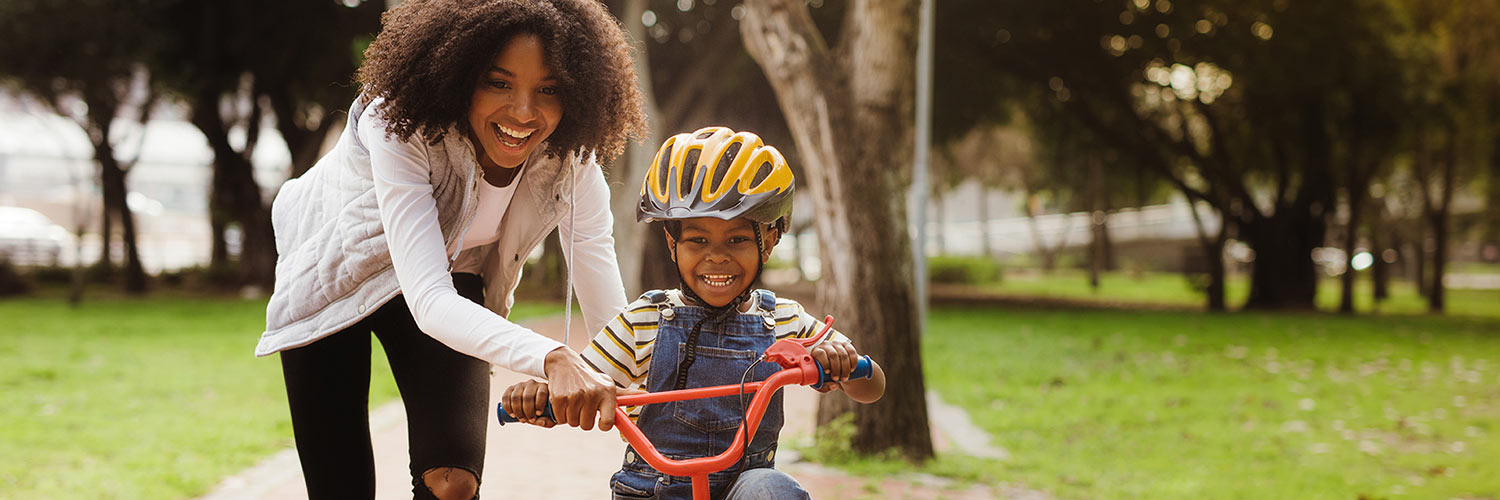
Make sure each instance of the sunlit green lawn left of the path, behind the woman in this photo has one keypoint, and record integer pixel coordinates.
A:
(143, 399)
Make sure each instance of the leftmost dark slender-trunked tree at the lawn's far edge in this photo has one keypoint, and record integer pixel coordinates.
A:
(70, 55)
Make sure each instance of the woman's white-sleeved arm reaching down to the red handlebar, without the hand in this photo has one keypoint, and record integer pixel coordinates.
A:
(410, 218)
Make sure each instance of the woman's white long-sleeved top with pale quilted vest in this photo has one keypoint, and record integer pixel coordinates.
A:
(404, 176)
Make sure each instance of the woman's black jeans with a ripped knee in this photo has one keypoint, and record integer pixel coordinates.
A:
(328, 388)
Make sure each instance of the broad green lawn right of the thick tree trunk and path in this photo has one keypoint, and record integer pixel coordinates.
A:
(1117, 405)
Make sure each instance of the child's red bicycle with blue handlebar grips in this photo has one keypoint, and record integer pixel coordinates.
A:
(799, 367)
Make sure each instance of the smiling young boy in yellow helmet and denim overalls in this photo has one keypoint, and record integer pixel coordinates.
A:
(727, 200)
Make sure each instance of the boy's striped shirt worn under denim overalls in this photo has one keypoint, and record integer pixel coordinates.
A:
(623, 349)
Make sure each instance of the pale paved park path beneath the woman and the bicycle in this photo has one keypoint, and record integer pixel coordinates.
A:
(565, 463)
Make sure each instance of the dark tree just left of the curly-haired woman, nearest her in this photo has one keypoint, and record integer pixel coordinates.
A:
(239, 64)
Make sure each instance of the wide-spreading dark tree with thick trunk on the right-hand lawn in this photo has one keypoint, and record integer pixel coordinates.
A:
(1241, 106)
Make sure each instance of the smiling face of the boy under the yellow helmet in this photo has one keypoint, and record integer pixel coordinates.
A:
(718, 259)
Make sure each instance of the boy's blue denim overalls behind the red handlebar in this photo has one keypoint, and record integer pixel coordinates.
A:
(703, 427)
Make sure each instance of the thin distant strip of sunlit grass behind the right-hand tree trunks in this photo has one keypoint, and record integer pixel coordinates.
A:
(1177, 291)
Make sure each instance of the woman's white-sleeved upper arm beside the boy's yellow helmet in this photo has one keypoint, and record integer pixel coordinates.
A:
(596, 270)
